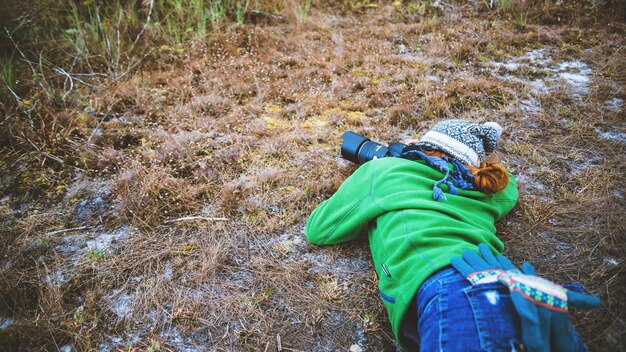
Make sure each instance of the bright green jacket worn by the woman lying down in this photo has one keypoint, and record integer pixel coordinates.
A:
(411, 235)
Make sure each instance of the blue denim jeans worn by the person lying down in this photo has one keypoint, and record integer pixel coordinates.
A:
(453, 315)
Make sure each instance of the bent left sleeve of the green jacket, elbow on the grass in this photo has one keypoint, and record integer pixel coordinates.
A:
(346, 214)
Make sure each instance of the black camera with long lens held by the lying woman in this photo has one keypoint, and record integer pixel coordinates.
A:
(360, 150)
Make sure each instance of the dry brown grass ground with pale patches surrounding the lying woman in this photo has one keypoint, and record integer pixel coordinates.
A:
(164, 209)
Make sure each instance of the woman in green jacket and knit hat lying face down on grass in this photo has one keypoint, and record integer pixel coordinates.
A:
(440, 201)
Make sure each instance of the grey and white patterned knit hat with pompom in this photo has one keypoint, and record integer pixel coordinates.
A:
(464, 140)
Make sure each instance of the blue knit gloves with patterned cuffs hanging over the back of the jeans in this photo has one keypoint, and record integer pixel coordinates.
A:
(541, 304)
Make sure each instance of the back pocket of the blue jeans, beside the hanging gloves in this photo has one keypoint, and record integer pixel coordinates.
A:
(494, 316)
